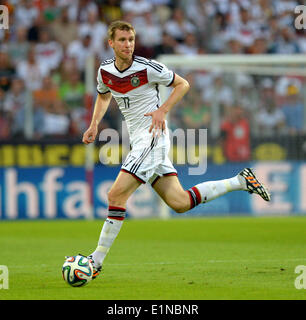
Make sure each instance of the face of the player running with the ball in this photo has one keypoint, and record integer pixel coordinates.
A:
(123, 44)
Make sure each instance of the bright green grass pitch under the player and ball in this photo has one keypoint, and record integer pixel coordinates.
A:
(177, 259)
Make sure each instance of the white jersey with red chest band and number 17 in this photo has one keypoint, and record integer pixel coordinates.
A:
(135, 89)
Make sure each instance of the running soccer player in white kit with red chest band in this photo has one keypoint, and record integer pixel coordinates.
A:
(134, 83)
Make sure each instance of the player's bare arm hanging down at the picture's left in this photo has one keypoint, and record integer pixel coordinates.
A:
(101, 105)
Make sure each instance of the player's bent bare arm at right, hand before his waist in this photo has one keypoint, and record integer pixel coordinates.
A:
(180, 88)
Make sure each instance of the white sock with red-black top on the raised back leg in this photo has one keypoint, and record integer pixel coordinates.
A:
(210, 190)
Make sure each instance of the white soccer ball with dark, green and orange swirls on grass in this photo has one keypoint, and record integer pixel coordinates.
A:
(77, 271)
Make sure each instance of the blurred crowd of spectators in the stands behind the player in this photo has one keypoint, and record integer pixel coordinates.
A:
(47, 43)
